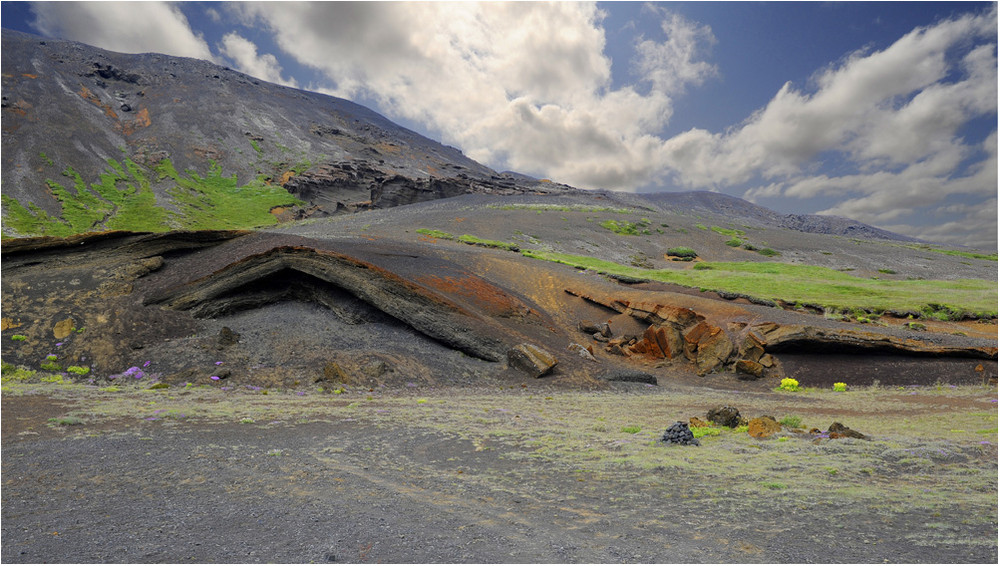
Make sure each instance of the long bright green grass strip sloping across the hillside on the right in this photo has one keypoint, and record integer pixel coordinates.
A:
(821, 286)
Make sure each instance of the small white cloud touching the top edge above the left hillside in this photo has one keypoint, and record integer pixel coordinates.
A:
(126, 27)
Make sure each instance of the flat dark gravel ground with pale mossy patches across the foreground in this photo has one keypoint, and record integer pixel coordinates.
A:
(454, 477)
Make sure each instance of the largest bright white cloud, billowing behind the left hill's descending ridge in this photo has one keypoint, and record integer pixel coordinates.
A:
(525, 86)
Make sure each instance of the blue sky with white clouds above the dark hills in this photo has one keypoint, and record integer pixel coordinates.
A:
(884, 112)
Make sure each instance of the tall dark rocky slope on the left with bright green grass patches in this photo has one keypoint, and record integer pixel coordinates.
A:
(96, 140)
